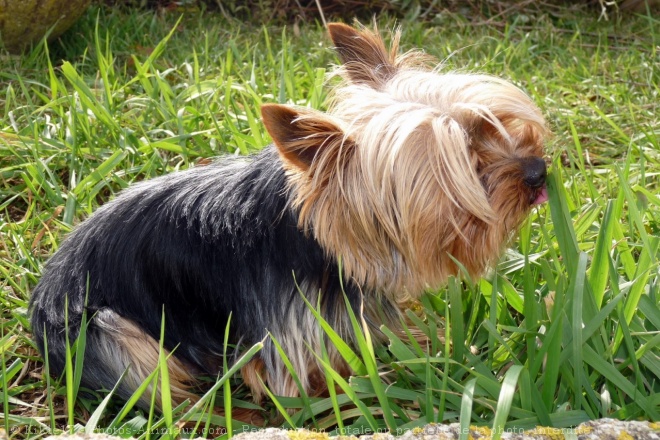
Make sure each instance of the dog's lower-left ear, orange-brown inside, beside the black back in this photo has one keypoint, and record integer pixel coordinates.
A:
(302, 135)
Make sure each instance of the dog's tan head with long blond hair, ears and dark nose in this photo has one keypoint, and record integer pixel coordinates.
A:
(411, 168)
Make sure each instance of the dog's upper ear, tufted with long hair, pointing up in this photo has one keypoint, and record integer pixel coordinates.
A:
(363, 54)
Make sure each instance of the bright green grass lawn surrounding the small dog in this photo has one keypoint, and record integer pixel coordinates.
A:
(565, 329)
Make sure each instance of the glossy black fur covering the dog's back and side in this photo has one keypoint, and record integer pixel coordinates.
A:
(202, 244)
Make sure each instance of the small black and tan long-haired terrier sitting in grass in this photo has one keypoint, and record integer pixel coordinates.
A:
(409, 172)
